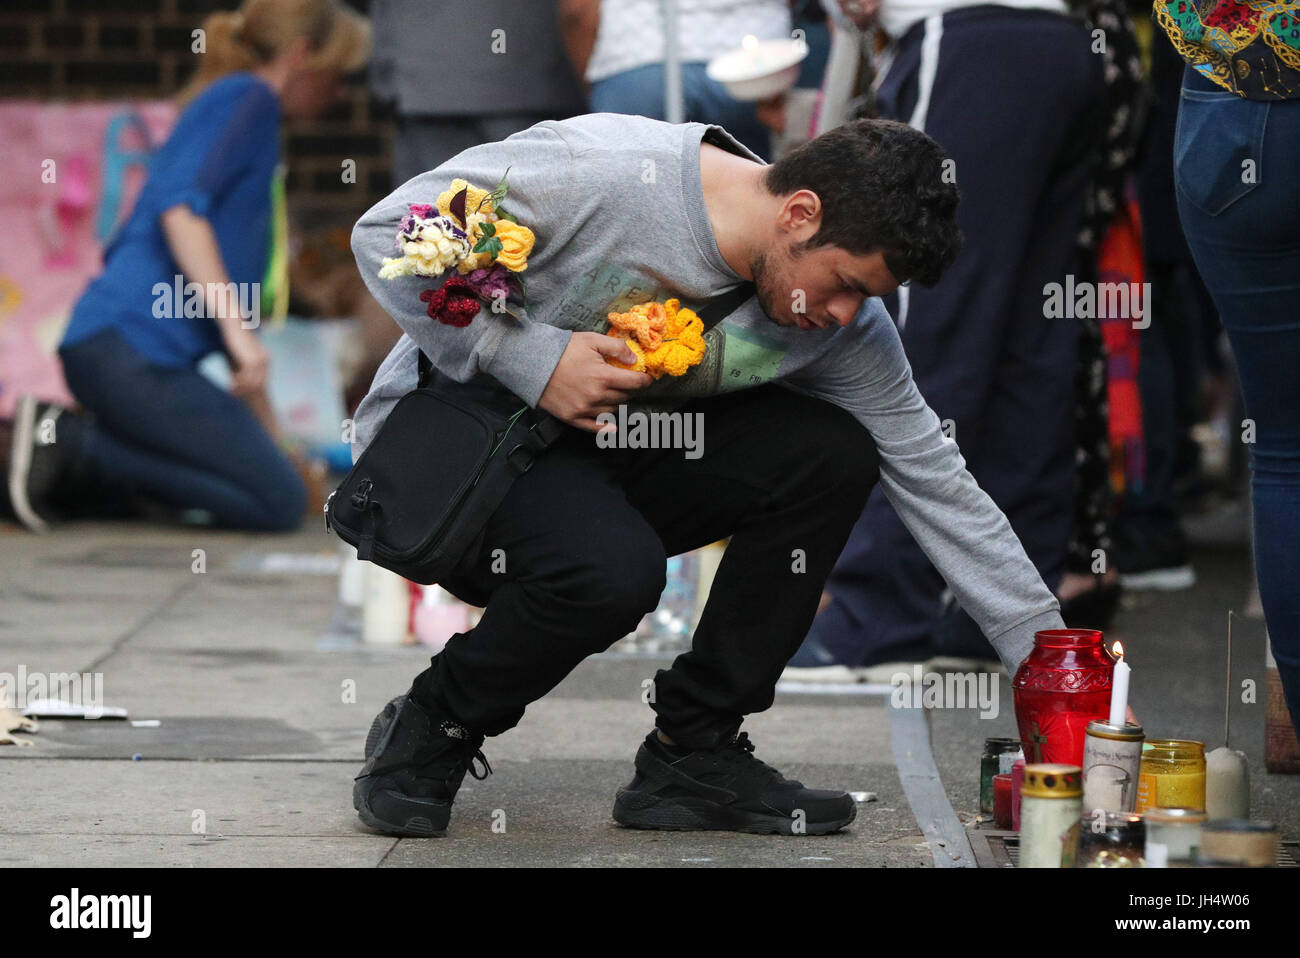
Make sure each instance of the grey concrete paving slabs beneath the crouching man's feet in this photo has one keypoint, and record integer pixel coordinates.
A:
(259, 734)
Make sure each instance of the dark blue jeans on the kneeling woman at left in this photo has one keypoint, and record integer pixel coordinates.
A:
(174, 436)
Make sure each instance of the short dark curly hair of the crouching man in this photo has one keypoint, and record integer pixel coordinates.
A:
(883, 188)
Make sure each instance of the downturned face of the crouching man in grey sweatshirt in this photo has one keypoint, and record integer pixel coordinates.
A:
(818, 288)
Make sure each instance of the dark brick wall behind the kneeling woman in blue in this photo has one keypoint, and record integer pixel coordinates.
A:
(99, 50)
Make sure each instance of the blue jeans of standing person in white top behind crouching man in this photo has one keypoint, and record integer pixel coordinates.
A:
(640, 93)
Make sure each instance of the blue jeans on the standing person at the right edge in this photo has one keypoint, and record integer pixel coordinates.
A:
(1236, 166)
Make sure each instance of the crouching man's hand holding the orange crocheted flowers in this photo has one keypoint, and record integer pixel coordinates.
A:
(584, 385)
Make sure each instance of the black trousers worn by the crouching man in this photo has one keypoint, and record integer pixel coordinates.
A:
(577, 556)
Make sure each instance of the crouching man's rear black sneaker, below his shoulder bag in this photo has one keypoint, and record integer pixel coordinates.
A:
(414, 766)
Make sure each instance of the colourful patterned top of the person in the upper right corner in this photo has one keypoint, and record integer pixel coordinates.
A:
(1250, 47)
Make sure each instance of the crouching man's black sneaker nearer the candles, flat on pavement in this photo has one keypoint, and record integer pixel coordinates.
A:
(727, 790)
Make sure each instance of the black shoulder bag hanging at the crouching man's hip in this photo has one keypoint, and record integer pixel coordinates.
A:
(419, 497)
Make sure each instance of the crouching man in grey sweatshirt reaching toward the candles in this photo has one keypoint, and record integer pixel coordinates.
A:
(807, 402)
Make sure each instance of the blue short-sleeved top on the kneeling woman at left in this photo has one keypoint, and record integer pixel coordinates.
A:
(220, 162)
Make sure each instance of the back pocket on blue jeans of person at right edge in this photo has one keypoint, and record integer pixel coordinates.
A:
(1217, 146)
